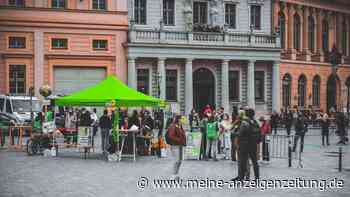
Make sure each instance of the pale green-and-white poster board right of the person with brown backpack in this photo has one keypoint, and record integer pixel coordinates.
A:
(193, 145)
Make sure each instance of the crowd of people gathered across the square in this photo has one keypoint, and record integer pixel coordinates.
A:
(239, 136)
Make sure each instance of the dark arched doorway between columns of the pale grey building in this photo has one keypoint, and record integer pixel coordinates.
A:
(203, 88)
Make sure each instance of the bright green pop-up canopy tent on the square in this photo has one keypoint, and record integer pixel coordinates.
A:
(108, 91)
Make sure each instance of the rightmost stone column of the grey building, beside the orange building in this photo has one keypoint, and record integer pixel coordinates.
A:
(276, 86)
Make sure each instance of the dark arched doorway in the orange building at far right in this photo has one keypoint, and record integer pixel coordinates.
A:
(332, 92)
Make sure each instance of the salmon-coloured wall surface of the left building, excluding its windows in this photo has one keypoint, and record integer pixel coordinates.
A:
(80, 27)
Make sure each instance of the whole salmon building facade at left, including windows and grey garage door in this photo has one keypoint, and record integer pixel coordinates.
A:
(66, 44)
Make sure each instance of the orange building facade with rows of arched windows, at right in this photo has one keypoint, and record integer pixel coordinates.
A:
(309, 31)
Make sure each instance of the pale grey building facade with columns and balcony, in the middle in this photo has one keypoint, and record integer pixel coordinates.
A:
(198, 52)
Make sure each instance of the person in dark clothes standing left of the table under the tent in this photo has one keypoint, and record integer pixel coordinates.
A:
(105, 125)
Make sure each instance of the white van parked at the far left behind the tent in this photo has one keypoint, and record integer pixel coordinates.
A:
(19, 106)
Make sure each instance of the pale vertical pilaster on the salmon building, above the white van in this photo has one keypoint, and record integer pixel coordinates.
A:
(38, 61)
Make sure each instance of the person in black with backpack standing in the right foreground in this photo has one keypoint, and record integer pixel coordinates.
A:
(249, 136)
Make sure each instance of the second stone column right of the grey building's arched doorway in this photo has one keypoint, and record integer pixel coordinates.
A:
(251, 84)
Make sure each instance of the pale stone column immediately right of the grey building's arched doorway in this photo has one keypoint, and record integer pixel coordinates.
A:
(225, 85)
